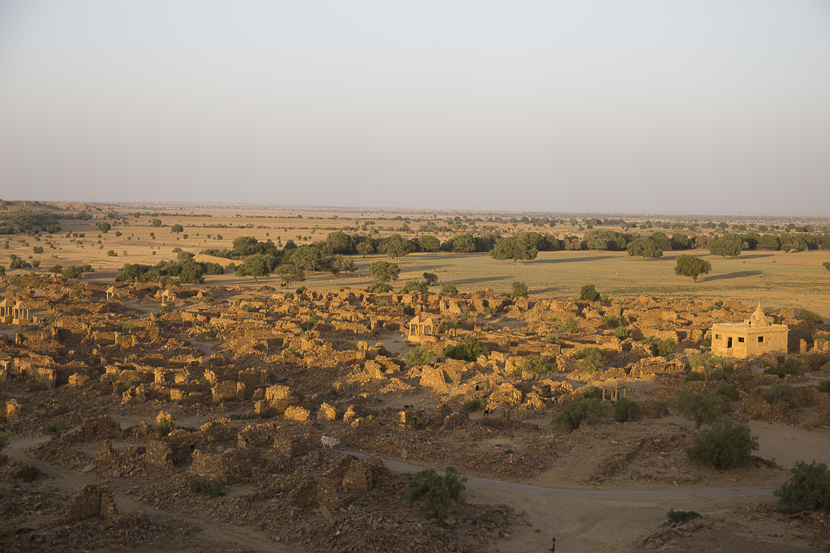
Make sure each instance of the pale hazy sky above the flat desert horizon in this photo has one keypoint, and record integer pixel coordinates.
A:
(596, 106)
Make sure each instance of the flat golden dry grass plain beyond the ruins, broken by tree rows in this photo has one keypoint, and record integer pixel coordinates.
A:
(775, 278)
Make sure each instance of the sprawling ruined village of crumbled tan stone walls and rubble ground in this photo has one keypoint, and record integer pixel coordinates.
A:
(235, 418)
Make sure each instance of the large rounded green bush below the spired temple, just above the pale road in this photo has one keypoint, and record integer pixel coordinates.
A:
(726, 445)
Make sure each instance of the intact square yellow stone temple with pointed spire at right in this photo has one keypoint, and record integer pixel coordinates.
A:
(752, 338)
